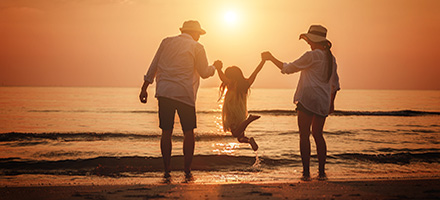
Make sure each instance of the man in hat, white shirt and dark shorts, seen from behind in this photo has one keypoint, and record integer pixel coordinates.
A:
(178, 65)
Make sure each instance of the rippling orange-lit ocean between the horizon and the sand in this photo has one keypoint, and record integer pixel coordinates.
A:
(82, 135)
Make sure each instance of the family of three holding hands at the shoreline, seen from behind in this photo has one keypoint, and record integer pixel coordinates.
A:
(181, 60)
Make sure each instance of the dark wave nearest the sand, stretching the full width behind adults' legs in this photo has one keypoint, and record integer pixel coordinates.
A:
(120, 166)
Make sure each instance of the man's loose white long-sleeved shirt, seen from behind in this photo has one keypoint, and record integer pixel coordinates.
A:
(178, 65)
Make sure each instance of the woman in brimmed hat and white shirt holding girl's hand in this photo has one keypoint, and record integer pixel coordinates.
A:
(315, 93)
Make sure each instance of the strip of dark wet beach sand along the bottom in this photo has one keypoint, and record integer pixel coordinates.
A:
(360, 189)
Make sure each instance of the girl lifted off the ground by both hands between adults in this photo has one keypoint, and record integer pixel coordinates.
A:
(234, 106)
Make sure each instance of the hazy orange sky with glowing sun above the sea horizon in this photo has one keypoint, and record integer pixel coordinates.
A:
(378, 44)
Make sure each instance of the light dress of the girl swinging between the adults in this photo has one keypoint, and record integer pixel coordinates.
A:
(234, 109)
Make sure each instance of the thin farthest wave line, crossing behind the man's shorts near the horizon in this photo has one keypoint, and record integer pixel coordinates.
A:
(276, 112)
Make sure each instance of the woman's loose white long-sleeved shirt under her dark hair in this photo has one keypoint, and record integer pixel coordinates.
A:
(313, 90)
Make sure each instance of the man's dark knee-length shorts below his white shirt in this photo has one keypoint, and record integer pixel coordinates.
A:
(167, 111)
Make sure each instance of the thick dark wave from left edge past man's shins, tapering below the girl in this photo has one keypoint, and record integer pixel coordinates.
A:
(116, 166)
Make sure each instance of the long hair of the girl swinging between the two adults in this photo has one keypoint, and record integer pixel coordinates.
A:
(238, 82)
